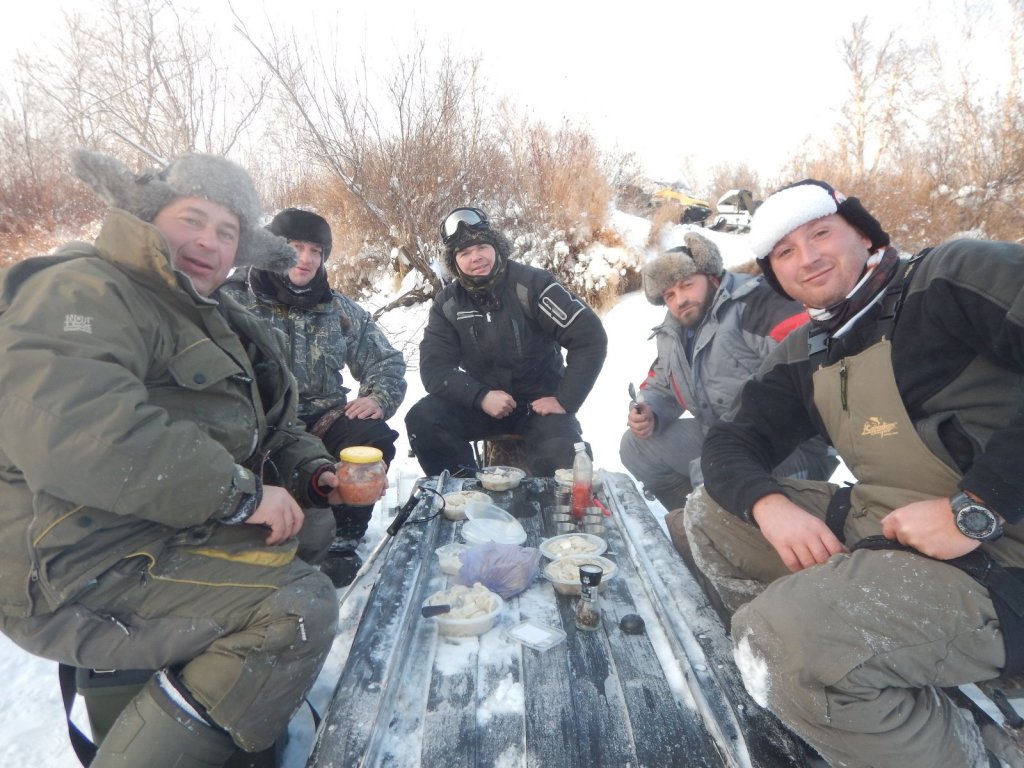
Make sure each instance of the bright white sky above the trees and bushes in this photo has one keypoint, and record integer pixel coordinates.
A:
(684, 86)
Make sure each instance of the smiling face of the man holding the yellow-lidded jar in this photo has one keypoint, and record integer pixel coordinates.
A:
(204, 240)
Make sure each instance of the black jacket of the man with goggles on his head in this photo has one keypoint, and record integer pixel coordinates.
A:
(513, 342)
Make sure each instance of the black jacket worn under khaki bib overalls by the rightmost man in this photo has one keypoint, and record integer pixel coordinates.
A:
(958, 354)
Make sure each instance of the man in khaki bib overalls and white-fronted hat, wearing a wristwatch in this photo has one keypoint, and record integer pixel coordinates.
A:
(857, 608)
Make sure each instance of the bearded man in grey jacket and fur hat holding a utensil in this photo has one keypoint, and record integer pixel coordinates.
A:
(718, 329)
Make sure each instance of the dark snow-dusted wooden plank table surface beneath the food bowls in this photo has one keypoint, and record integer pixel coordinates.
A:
(409, 697)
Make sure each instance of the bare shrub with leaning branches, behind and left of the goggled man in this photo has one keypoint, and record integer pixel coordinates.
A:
(423, 148)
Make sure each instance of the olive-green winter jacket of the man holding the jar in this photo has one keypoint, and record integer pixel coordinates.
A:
(114, 370)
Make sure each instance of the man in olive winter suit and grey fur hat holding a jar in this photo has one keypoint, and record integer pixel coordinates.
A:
(153, 473)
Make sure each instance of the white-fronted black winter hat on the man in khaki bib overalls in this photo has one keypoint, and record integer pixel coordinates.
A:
(797, 204)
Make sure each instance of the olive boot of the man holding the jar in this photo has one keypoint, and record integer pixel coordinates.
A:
(157, 733)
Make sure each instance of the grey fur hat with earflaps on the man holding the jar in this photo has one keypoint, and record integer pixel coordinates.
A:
(208, 177)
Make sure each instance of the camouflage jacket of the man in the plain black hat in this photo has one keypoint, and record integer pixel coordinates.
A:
(325, 339)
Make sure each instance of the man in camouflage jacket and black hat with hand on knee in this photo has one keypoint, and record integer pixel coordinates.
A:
(327, 332)
